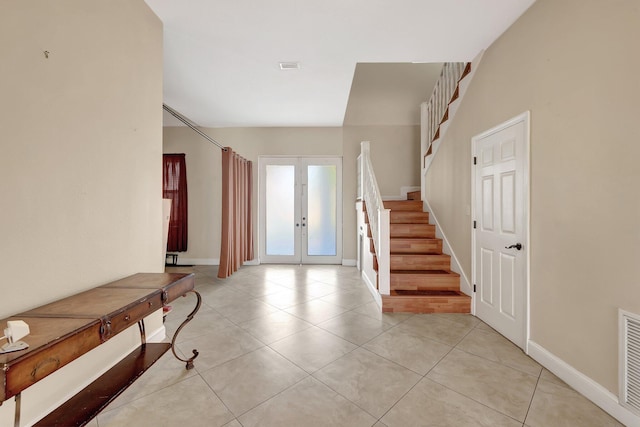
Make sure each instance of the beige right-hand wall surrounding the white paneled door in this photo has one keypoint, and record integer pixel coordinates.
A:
(573, 64)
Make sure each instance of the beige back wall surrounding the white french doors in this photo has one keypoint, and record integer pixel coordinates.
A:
(389, 144)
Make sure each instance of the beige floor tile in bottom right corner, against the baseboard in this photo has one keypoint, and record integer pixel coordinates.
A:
(560, 406)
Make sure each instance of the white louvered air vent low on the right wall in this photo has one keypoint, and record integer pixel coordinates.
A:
(629, 366)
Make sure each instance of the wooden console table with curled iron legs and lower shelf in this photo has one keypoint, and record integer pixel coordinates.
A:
(66, 329)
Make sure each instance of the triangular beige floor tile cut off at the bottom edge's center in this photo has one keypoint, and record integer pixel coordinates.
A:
(309, 403)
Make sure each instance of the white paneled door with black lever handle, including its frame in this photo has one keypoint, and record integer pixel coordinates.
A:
(501, 215)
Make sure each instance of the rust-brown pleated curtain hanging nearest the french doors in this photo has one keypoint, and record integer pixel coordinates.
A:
(237, 225)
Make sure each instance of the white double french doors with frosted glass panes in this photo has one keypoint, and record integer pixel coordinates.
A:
(300, 210)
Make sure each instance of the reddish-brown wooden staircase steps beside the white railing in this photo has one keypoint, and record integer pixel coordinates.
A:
(420, 277)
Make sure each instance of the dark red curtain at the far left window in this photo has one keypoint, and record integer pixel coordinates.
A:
(174, 187)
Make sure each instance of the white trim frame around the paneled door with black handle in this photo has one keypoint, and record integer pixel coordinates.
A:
(526, 119)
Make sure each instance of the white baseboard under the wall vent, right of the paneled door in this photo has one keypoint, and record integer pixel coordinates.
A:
(583, 384)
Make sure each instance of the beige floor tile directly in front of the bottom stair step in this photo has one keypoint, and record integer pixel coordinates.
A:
(436, 327)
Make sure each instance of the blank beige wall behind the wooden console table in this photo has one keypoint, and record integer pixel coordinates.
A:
(81, 147)
